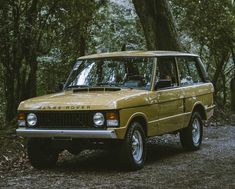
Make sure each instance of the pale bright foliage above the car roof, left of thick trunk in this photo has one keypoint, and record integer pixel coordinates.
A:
(116, 25)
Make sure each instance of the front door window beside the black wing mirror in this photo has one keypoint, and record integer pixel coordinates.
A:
(166, 73)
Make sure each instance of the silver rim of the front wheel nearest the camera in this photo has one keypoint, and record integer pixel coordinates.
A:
(137, 146)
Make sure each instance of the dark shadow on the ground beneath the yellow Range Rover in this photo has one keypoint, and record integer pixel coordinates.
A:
(101, 160)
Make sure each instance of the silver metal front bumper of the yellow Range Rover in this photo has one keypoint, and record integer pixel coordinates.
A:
(48, 133)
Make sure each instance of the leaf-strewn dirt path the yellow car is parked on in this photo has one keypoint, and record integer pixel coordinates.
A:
(168, 166)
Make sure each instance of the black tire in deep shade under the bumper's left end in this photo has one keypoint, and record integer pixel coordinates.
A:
(40, 153)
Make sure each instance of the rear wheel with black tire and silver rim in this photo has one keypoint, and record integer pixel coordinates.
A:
(191, 136)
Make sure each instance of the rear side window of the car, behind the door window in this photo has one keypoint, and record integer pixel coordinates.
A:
(189, 71)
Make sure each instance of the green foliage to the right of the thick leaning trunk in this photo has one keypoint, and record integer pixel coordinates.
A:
(207, 29)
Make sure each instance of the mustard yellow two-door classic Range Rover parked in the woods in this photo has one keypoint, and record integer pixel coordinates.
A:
(118, 100)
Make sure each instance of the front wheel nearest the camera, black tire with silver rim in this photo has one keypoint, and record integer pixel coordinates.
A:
(133, 159)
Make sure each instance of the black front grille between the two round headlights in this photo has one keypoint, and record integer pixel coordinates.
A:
(64, 120)
